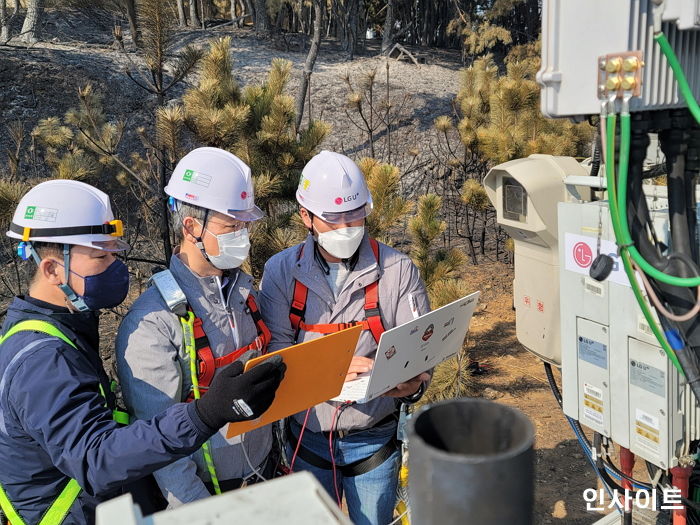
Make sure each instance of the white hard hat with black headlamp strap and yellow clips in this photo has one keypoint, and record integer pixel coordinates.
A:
(67, 212)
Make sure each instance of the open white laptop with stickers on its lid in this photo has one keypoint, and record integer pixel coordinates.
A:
(412, 348)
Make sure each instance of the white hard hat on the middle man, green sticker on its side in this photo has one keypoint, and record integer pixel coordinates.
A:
(217, 180)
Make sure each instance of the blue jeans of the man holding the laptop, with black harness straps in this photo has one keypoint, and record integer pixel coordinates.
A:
(371, 497)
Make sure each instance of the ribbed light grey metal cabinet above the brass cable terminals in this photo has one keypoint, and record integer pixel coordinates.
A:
(569, 68)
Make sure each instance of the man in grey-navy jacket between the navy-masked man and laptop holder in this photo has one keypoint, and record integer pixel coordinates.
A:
(200, 315)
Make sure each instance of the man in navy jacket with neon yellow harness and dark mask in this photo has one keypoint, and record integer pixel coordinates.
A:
(63, 446)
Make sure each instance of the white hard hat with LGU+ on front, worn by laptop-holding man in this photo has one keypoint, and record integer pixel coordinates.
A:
(333, 188)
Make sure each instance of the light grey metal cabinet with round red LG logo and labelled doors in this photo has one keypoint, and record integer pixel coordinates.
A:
(616, 380)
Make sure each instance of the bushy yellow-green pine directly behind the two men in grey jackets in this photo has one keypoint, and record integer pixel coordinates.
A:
(257, 123)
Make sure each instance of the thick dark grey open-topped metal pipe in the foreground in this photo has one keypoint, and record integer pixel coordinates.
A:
(471, 461)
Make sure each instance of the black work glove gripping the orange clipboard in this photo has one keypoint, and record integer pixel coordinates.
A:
(234, 396)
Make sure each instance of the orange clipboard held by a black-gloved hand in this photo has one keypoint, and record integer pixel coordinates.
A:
(315, 373)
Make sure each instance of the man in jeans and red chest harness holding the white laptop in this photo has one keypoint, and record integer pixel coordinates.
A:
(340, 276)
